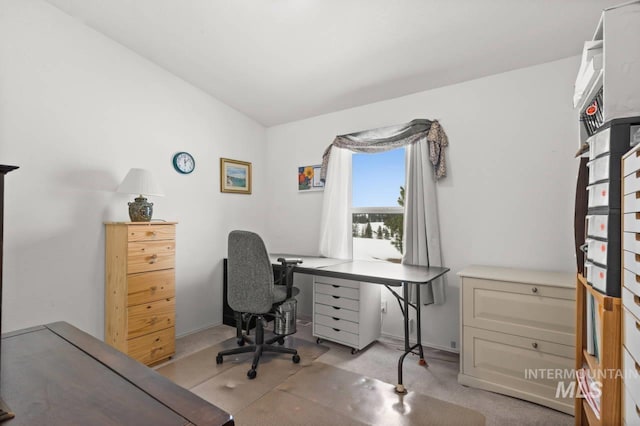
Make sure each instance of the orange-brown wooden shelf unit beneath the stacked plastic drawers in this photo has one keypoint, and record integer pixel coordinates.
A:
(610, 359)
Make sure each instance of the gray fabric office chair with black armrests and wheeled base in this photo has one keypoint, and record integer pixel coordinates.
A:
(251, 291)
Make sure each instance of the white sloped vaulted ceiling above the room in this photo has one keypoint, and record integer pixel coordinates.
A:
(283, 60)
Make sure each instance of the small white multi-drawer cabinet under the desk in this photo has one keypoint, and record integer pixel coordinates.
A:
(346, 312)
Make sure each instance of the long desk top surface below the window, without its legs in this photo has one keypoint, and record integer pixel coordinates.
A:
(393, 274)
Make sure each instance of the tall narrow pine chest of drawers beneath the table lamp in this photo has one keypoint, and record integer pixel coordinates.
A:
(140, 289)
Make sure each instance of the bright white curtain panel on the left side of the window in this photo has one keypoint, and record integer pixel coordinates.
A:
(335, 224)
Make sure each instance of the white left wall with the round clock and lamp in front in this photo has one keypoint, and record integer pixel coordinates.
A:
(77, 111)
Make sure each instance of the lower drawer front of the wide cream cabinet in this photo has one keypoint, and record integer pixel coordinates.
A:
(506, 360)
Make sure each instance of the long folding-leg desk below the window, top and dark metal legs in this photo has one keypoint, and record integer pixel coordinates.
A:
(384, 273)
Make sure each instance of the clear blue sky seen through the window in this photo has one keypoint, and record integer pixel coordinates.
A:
(377, 178)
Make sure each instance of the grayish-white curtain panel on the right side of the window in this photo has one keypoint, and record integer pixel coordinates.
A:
(421, 225)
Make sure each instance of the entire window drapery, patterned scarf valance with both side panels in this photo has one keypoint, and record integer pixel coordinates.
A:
(425, 141)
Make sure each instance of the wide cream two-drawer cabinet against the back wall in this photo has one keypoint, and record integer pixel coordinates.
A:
(517, 326)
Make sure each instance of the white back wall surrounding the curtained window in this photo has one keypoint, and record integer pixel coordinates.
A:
(508, 198)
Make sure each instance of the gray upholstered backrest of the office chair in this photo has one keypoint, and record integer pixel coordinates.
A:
(249, 274)
